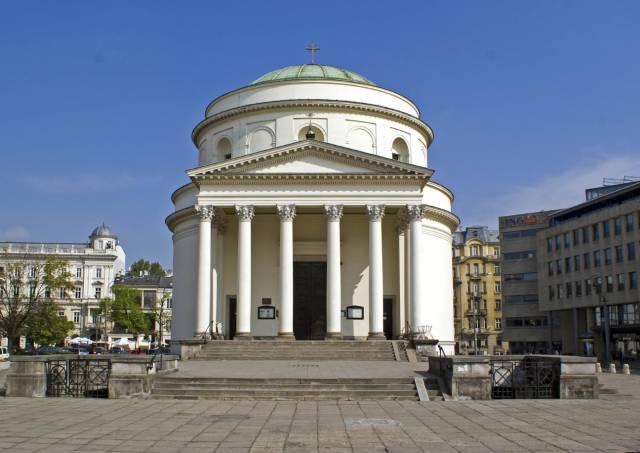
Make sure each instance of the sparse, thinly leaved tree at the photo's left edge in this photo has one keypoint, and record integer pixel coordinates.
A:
(24, 285)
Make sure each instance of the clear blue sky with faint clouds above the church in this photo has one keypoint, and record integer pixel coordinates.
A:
(530, 101)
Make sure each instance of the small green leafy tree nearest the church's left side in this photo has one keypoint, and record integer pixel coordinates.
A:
(124, 310)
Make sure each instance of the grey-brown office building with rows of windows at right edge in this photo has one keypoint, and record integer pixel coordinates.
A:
(588, 260)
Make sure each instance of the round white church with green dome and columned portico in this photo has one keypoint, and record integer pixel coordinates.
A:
(312, 214)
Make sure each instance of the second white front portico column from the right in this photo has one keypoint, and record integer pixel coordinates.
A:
(376, 296)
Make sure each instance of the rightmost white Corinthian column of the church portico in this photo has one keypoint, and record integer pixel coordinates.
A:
(418, 304)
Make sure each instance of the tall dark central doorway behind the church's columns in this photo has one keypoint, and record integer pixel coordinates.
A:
(309, 300)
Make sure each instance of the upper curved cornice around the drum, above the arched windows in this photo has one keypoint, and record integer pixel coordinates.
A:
(305, 104)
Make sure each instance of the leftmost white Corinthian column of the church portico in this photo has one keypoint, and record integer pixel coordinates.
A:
(203, 307)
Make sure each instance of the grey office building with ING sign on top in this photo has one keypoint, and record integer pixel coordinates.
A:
(525, 327)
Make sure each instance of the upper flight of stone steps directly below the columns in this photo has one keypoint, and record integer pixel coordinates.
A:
(298, 350)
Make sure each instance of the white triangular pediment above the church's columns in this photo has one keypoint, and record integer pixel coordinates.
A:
(310, 157)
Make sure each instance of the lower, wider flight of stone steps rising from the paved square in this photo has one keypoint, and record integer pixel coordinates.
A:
(284, 389)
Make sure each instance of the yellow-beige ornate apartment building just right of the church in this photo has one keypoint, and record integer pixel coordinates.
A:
(477, 292)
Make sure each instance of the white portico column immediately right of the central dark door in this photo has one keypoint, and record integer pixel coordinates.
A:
(334, 288)
